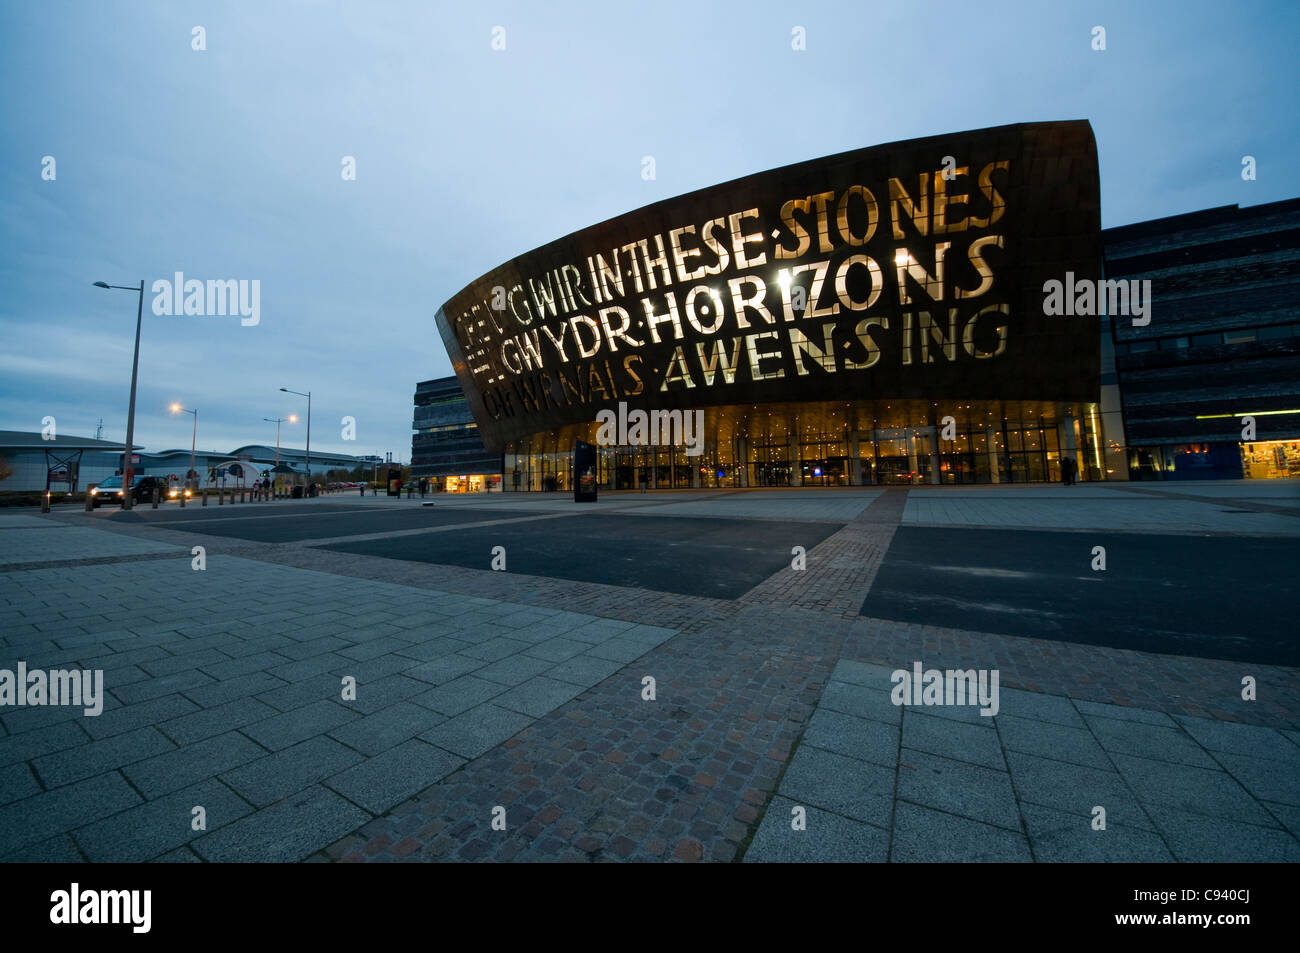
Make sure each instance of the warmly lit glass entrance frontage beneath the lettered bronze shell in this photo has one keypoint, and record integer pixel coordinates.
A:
(830, 445)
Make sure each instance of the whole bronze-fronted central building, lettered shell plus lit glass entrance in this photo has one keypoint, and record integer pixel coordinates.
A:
(876, 317)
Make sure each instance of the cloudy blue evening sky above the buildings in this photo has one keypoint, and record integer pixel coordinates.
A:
(227, 163)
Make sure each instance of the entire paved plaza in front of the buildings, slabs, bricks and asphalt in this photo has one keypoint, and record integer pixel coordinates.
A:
(651, 678)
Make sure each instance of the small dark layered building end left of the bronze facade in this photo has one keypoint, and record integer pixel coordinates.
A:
(447, 447)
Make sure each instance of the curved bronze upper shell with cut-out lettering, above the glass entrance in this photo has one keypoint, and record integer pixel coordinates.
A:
(863, 275)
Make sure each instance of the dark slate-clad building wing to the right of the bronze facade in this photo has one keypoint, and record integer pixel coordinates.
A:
(1223, 344)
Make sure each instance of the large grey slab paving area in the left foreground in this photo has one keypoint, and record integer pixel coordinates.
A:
(246, 717)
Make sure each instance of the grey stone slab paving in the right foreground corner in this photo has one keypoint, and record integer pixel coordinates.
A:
(873, 781)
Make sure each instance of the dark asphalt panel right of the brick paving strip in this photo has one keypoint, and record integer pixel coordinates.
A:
(1208, 597)
